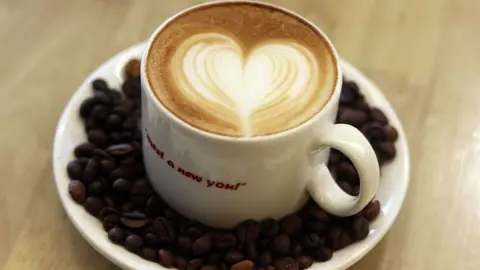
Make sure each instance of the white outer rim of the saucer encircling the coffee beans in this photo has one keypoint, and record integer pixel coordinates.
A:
(123, 258)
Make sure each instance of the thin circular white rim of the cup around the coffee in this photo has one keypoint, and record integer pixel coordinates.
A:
(334, 96)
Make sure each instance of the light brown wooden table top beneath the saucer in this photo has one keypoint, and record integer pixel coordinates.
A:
(423, 54)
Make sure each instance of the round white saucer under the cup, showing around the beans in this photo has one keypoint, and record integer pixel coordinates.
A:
(70, 132)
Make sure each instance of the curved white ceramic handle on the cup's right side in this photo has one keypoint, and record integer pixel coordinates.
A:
(323, 188)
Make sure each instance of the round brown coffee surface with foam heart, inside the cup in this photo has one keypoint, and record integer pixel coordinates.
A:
(241, 69)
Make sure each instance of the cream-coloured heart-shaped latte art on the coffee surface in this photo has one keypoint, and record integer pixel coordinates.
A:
(246, 86)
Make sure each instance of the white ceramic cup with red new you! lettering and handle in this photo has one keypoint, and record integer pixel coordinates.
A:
(221, 181)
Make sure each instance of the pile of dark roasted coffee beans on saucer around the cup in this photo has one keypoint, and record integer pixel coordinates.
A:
(108, 179)
